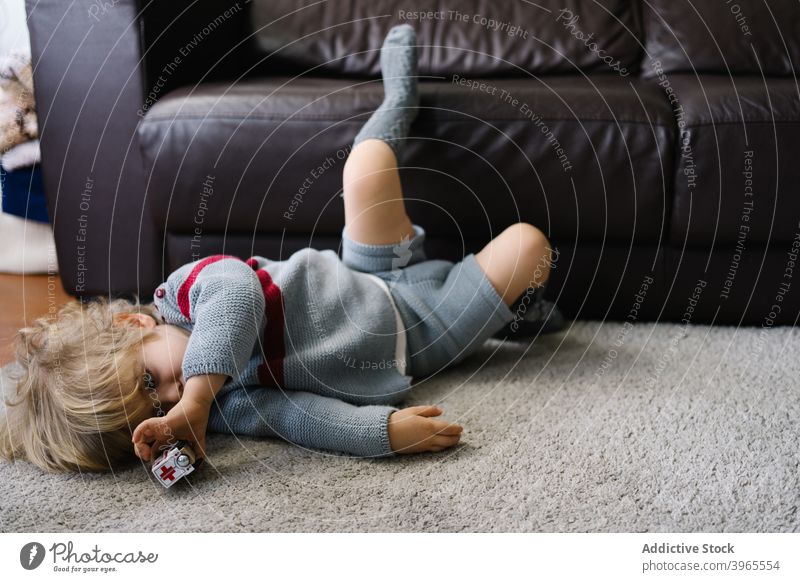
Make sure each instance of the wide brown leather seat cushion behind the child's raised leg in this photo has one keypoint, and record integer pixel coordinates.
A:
(583, 158)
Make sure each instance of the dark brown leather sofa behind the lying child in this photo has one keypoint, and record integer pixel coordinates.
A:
(656, 143)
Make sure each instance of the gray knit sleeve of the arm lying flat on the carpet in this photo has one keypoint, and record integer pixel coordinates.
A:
(305, 419)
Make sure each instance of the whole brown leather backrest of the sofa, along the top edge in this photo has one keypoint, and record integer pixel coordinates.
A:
(480, 38)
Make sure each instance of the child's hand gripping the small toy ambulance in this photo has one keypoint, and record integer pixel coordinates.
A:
(187, 420)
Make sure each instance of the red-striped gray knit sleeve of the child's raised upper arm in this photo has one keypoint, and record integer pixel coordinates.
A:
(221, 300)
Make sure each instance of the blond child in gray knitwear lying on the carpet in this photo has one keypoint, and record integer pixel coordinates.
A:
(315, 349)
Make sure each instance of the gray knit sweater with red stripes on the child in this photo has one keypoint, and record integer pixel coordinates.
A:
(311, 347)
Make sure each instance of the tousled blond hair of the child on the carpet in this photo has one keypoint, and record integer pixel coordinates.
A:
(81, 390)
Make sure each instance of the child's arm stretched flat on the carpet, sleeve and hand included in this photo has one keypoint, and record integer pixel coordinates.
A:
(320, 422)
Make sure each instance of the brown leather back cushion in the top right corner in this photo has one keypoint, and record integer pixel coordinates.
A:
(730, 36)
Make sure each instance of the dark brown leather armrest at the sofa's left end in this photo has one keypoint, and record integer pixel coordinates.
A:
(88, 84)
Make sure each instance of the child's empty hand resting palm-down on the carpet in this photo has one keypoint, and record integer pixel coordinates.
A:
(411, 430)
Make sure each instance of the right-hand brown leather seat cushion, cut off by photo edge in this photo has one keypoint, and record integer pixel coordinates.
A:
(737, 173)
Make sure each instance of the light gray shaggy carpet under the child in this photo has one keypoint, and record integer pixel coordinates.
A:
(602, 428)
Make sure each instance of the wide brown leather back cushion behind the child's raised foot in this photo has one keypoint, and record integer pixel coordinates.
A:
(475, 37)
